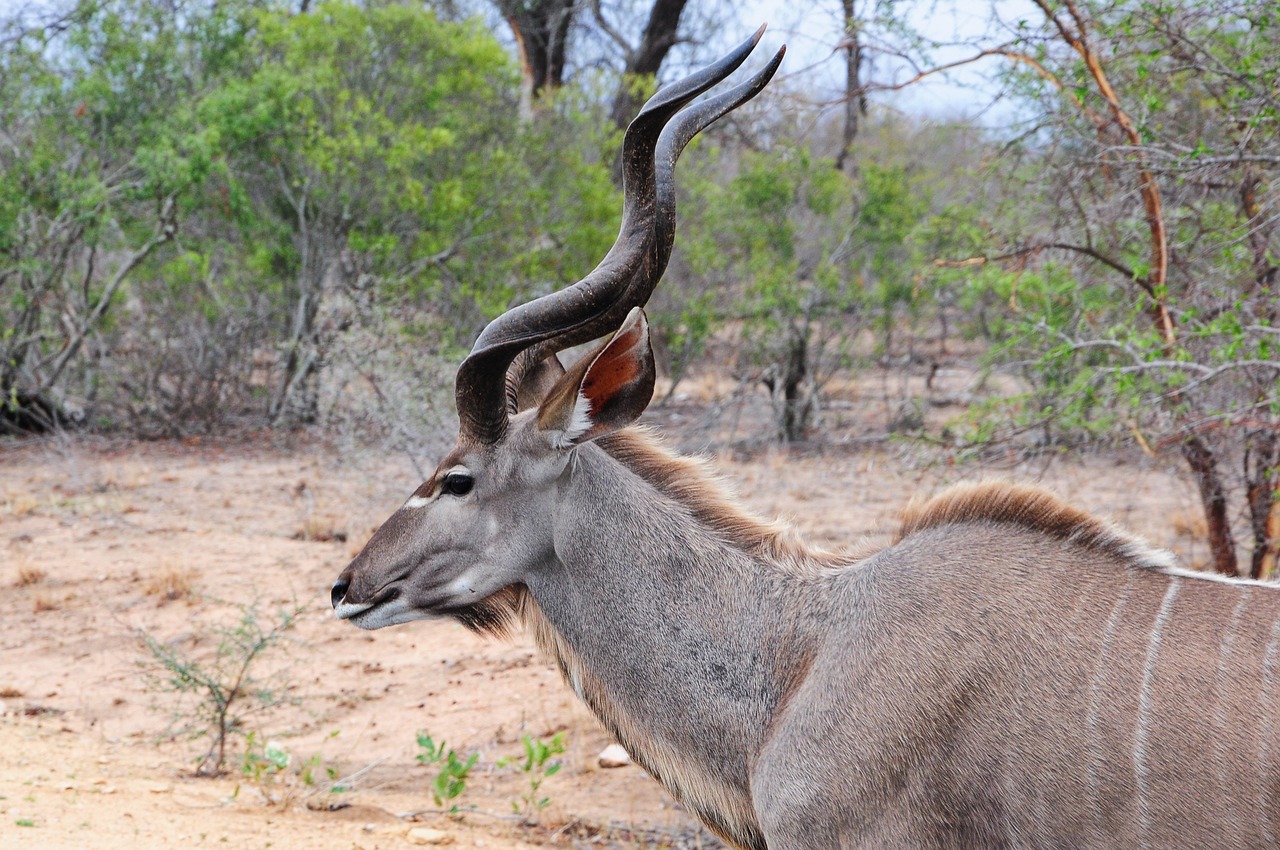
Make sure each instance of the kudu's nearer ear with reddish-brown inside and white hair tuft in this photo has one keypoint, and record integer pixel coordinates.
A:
(604, 392)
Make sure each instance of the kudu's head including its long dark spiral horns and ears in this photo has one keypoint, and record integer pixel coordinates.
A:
(482, 524)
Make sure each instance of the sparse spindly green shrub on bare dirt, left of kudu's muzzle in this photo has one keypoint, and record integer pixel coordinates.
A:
(218, 693)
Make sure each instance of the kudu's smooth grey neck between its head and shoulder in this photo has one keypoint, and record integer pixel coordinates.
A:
(682, 645)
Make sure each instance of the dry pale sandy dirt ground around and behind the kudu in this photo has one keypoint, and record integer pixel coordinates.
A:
(100, 543)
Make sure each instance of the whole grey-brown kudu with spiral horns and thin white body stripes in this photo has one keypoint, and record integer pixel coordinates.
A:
(1009, 673)
